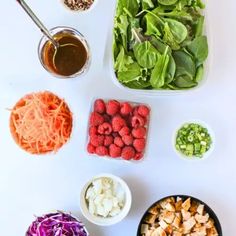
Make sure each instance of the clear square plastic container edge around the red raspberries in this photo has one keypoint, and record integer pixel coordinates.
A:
(119, 158)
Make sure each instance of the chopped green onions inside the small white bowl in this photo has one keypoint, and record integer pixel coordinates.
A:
(193, 140)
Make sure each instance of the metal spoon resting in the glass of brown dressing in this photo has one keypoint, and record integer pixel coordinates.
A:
(44, 30)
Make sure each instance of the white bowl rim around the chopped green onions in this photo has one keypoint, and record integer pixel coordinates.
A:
(194, 158)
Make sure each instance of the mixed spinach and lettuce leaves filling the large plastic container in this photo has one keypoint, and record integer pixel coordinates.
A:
(159, 45)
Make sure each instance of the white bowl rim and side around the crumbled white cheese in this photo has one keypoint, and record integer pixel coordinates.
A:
(109, 220)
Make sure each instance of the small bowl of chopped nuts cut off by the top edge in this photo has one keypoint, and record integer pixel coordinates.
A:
(79, 5)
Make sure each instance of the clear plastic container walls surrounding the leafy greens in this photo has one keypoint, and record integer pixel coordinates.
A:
(109, 66)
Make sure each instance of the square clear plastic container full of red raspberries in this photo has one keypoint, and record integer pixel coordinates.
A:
(118, 135)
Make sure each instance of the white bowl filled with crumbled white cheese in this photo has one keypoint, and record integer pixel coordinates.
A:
(105, 200)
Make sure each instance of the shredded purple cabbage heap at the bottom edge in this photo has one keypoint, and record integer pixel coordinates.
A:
(56, 224)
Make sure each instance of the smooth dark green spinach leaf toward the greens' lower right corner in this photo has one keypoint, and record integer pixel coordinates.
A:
(184, 64)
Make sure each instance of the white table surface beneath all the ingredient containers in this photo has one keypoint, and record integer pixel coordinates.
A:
(31, 185)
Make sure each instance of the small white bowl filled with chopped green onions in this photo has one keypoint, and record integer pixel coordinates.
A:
(194, 140)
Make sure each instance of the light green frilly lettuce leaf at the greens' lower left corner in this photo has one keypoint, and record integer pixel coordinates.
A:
(133, 73)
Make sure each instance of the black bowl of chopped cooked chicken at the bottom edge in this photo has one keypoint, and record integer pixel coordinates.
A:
(179, 215)
